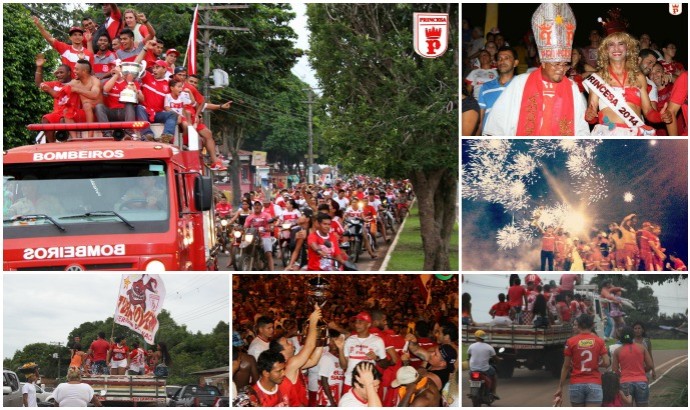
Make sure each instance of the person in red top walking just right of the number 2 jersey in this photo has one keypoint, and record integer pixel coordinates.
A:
(631, 361)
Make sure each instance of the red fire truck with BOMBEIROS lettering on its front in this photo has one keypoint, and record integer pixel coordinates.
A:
(103, 204)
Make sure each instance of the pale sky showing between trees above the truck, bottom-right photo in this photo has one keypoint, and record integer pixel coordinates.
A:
(484, 290)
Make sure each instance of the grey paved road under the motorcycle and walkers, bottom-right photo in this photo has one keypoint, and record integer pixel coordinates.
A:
(536, 387)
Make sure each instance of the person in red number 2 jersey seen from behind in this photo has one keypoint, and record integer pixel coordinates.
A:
(583, 354)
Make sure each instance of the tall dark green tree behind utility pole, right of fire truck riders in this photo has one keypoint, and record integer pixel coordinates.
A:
(258, 62)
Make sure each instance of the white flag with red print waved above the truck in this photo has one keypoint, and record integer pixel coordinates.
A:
(138, 303)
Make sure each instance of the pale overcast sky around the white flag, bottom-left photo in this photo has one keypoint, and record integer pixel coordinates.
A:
(40, 308)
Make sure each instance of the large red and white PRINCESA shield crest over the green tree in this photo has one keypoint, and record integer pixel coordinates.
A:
(431, 34)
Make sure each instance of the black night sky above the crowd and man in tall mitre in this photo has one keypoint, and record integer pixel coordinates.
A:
(654, 19)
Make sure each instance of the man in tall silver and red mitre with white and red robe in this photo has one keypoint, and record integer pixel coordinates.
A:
(550, 103)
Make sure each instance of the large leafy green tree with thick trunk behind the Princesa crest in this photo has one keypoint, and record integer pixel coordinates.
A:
(391, 112)
